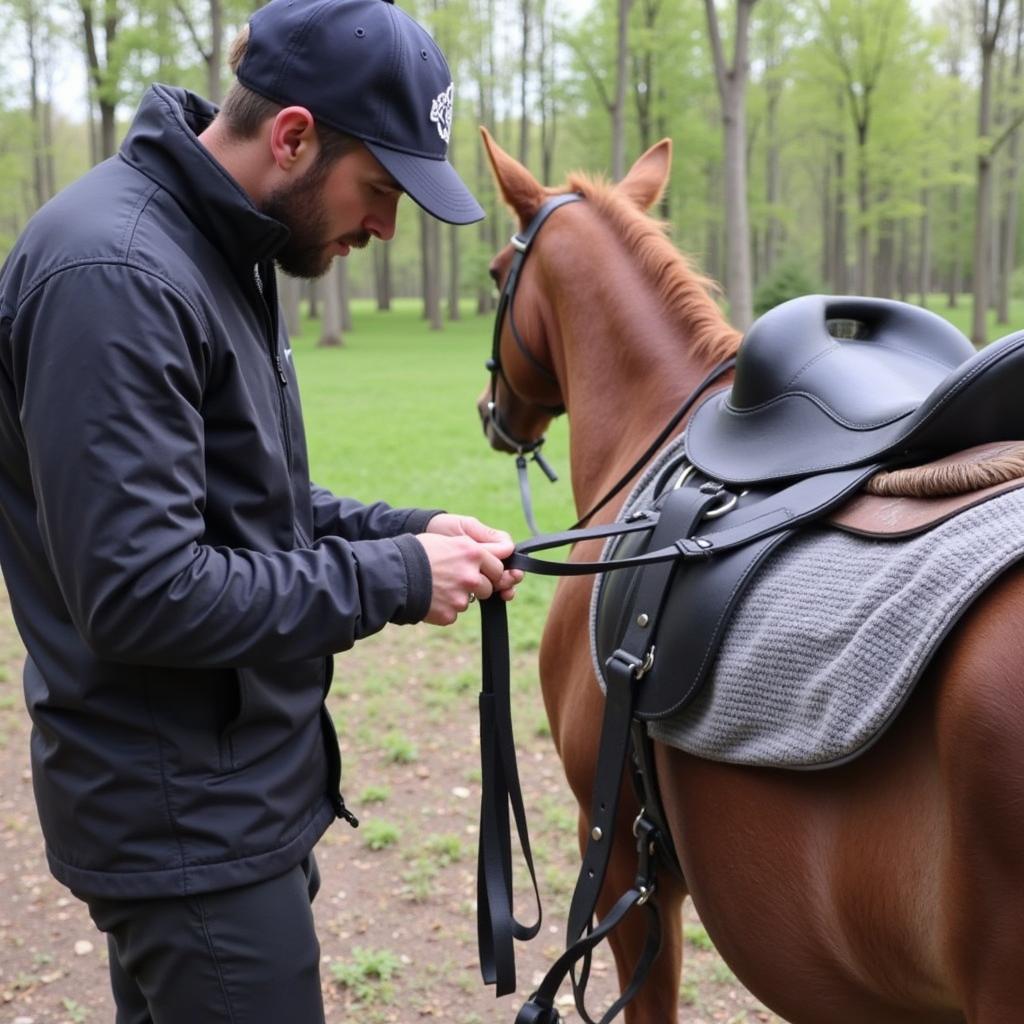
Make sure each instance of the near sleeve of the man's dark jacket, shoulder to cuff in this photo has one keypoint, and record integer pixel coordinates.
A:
(111, 365)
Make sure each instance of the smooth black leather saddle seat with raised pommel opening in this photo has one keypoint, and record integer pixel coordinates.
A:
(806, 400)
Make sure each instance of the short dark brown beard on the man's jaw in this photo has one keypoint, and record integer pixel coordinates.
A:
(300, 206)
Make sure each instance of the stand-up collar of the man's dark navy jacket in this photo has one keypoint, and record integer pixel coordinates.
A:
(163, 145)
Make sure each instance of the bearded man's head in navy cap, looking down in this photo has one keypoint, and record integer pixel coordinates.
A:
(365, 90)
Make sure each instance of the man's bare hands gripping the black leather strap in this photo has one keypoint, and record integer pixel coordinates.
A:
(465, 560)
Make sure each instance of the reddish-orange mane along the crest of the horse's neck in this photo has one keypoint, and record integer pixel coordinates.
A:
(686, 291)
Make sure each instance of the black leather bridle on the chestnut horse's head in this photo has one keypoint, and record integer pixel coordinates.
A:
(525, 449)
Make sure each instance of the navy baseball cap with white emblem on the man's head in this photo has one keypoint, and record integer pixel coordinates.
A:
(367, 69)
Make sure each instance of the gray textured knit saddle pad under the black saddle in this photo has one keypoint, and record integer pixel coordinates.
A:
(832, 636)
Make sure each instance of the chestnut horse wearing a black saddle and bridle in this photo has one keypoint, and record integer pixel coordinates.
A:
(889, 890)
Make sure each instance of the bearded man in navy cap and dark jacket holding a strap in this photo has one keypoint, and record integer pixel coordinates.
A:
(178, 581)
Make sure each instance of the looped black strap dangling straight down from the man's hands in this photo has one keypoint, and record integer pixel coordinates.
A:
(497, 926)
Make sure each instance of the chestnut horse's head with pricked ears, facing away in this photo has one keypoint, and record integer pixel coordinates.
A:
(529, 385)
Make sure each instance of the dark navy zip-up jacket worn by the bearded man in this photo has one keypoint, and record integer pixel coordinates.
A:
(178, 581)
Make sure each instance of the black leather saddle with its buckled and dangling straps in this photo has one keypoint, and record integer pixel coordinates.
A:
(828, 392)
